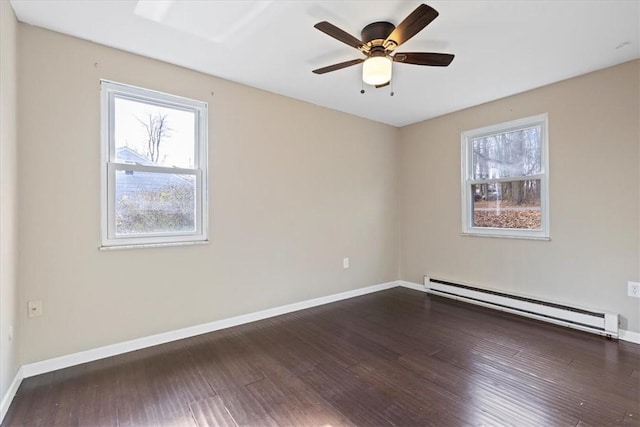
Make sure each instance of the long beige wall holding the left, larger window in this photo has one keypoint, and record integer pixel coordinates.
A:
(294, 189)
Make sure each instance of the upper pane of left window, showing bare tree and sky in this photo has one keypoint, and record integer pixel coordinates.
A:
(148, 134)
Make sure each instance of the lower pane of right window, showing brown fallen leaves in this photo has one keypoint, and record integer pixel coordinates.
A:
(514, 204)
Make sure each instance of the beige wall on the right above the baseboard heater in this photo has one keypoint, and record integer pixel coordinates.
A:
(594, 143)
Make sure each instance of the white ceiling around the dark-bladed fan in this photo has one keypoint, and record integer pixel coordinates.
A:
(501, 47)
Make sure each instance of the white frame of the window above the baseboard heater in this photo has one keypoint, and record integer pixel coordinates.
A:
(467, 137)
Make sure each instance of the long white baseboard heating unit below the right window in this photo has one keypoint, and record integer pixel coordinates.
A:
(579, 318)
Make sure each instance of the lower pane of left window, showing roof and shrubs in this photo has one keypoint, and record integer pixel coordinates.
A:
(150, 202)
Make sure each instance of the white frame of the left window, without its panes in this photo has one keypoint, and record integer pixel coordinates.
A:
(109, 165)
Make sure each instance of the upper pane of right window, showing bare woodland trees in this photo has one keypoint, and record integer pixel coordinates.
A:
(509, 154)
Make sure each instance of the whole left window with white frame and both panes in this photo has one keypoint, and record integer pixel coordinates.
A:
(154, 167)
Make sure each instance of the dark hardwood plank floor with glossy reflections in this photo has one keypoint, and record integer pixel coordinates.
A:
(397, 357)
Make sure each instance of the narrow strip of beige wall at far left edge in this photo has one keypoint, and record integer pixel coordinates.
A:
(9, 362)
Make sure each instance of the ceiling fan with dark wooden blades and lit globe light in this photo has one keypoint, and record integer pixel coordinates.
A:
(379, 41)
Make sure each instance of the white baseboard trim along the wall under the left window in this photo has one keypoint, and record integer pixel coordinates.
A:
(37, 368)
